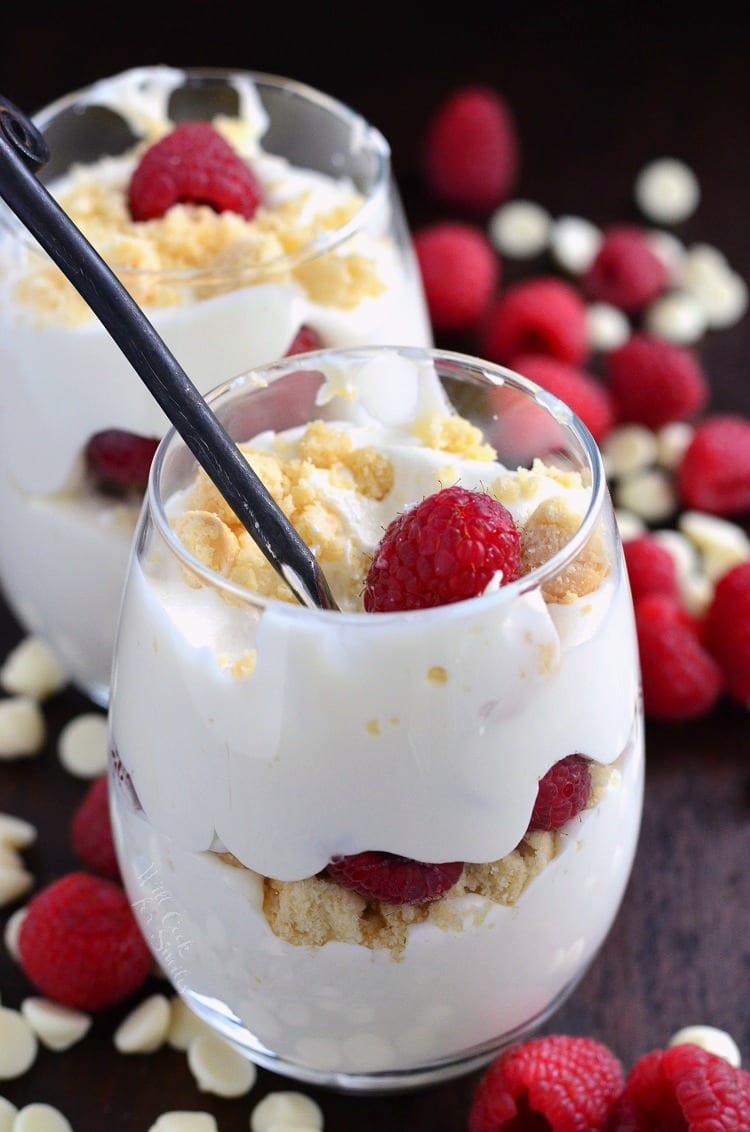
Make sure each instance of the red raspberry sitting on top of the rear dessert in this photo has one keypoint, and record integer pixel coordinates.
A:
(193, 165)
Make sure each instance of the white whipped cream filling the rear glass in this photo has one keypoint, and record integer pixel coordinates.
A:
(63, 379)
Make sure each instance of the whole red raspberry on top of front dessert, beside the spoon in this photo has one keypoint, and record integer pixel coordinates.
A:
(444, 550)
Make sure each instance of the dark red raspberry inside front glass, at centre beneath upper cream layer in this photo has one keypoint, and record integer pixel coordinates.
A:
(392, 879)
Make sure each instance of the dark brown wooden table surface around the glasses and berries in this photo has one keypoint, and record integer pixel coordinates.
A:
(597, 96)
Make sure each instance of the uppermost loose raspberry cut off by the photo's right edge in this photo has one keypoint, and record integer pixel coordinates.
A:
(714, 474)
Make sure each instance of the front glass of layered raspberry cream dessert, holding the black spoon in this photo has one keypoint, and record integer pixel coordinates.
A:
(372, 846)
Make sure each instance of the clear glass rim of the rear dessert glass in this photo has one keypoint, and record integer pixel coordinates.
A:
(313, 250)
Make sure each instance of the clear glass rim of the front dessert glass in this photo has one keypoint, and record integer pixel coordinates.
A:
(461, 364)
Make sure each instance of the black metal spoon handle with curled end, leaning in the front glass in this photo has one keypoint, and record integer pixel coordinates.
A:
(24, 150)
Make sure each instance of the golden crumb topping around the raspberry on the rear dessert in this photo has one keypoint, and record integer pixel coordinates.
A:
(225, 250)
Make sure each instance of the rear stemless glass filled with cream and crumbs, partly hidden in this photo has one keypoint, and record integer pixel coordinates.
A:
(325, 261)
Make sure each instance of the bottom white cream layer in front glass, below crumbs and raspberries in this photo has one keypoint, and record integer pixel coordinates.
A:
(343, 1009)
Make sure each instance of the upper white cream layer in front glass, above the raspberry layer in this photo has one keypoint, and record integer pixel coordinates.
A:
(349, 728)
